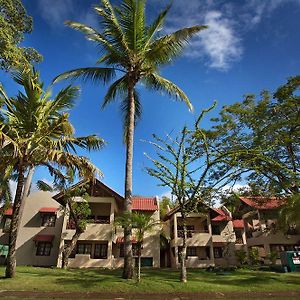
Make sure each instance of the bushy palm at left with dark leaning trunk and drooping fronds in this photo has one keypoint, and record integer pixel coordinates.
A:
(36, 131)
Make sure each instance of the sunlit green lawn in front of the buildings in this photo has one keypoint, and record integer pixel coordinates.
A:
(163, 280)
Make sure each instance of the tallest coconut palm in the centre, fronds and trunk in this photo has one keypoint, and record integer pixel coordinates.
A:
(132, 51)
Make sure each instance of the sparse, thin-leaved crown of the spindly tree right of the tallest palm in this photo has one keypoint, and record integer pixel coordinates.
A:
(185, 164)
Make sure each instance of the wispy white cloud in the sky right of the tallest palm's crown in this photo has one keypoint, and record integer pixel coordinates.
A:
(222, 44)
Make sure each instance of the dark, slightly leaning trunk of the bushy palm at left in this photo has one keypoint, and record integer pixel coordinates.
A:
(14, 226)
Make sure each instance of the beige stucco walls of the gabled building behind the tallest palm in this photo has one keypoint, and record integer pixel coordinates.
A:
(108, 232)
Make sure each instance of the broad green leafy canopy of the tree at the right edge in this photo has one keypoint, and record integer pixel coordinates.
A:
(269, 131)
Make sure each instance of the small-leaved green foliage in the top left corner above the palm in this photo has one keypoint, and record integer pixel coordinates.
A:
(14, 23)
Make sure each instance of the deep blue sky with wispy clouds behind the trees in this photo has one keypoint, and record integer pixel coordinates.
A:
(249, 46)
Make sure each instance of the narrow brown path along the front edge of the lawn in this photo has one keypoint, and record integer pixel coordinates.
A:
(154, 295)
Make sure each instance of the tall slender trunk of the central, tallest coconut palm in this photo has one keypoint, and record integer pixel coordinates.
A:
(128, 261)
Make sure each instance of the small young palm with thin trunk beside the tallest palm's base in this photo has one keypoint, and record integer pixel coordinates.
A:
(142, 224)
